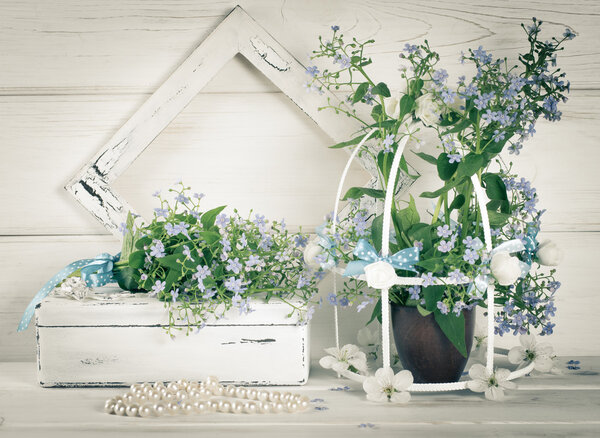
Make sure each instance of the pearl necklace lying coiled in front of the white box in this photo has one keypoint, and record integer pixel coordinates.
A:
(183, 397)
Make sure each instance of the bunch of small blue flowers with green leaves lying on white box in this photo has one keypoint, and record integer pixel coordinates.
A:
(205, 263)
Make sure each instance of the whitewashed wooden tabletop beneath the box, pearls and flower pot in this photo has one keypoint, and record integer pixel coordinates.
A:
(543, 405)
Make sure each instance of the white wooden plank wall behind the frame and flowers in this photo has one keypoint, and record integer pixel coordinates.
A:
(73, 71)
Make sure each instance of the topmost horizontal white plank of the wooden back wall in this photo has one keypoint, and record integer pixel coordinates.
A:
(68, 46)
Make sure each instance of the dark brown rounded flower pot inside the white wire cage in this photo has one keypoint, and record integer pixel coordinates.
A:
(425, 350)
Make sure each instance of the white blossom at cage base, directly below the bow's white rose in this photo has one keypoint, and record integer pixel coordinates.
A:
(385, 386)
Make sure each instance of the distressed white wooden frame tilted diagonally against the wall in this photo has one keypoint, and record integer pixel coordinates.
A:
(237, 33)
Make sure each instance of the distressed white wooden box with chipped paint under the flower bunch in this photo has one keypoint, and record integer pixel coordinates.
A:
(119, 339)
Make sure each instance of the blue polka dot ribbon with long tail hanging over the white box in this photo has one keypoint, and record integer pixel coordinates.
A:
(95, 272)
